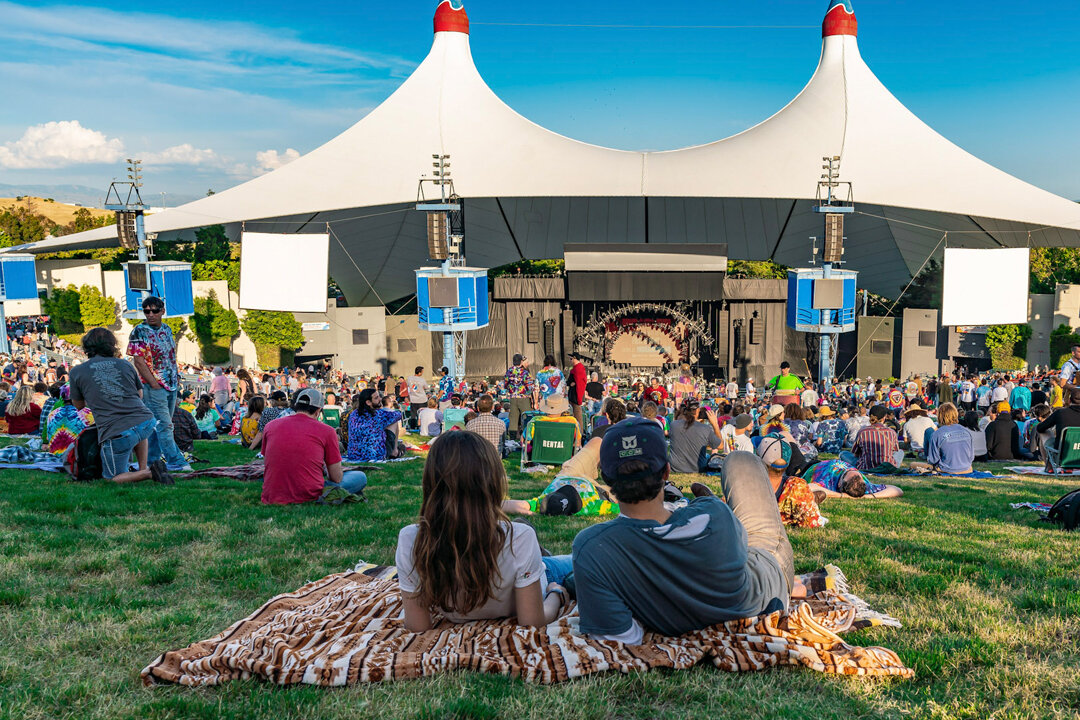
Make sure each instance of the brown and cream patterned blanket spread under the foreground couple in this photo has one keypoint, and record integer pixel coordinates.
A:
(348, 629)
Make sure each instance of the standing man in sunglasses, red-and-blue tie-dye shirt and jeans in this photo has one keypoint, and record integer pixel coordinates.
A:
(153, 351)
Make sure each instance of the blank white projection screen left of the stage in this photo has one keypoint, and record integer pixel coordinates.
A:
(285, 273)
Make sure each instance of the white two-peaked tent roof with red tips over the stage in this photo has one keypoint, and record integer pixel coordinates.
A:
(753, 192)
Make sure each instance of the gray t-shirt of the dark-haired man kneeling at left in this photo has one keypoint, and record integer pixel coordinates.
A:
(111, 389)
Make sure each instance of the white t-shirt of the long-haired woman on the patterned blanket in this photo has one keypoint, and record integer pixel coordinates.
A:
(520, 566)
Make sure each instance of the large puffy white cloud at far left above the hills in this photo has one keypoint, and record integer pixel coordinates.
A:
(59, 145)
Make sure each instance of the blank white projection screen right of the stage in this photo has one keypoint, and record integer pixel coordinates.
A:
(985, 287)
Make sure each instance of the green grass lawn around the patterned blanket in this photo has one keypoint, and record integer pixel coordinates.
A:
(97, 581)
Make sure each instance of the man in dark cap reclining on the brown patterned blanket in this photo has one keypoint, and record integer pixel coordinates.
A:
(674, 573)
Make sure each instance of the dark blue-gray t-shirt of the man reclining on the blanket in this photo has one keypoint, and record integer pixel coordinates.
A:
(684, 576)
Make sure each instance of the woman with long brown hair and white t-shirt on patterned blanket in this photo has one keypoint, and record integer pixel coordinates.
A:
(465, 560)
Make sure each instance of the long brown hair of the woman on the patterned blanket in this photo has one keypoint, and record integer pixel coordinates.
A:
(463, 527)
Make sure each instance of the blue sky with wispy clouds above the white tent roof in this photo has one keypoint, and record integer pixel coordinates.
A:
(211, 94)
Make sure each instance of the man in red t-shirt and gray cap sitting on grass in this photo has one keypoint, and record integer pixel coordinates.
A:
(299, 450)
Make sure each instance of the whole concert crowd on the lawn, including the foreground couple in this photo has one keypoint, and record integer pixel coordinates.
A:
(670, 560)
